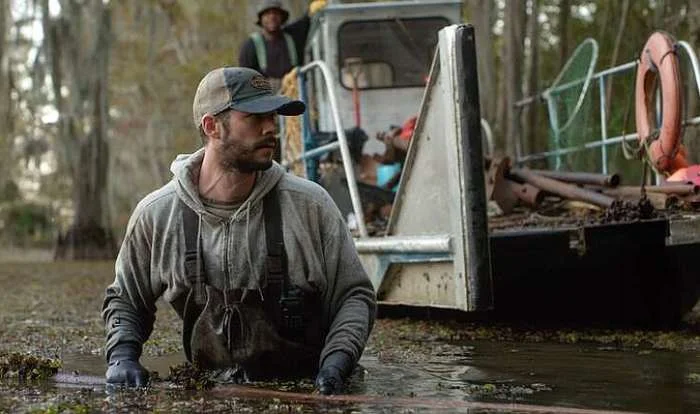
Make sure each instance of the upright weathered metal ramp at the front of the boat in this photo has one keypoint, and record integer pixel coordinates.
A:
(436, 252)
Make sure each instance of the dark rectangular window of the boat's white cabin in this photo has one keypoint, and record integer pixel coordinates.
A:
(387, 53)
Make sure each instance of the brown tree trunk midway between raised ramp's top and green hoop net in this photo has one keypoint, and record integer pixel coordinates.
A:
(514, 35)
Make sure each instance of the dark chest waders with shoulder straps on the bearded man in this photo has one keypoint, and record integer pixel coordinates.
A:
(278, 337)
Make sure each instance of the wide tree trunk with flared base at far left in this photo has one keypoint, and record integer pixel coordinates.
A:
(79, 47)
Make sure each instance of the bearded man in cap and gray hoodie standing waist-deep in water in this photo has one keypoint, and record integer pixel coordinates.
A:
(258, 263)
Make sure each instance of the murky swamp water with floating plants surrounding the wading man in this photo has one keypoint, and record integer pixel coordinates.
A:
(52, 309)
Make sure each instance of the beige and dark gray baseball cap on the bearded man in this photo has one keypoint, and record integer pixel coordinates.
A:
(240, 89)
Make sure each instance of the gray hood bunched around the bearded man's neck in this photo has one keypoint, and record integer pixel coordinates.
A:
(185, 169)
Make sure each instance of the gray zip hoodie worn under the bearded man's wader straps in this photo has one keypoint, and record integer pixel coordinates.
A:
(320, 251)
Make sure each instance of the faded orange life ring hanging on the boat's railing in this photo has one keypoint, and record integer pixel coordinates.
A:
(659, 60)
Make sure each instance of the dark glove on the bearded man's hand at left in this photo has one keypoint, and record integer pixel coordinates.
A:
(124, 367)
